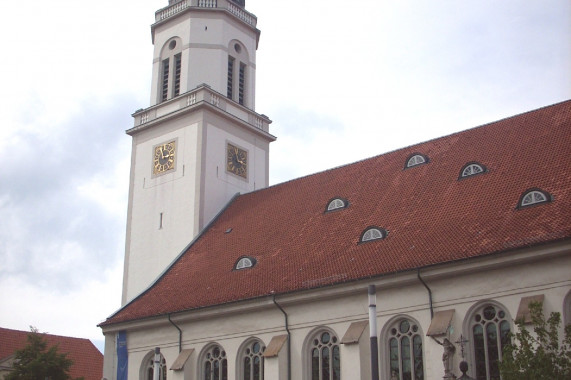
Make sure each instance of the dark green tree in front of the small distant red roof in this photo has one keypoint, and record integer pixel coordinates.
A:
(38, 362)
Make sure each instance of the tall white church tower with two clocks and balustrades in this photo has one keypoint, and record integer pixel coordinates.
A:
(200, 142)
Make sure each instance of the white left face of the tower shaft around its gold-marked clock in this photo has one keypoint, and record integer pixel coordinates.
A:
(158, 229)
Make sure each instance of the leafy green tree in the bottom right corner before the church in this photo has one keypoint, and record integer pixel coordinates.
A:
(541, 355)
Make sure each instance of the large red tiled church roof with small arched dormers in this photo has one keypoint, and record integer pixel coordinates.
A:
(431, 217)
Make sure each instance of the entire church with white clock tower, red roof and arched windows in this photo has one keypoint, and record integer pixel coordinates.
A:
(227, 278)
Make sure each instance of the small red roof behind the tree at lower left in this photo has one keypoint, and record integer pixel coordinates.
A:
(87, 360)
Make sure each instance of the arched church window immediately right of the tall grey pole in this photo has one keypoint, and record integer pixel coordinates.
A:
(404, 348)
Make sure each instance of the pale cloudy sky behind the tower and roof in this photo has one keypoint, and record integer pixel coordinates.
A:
(342, 81)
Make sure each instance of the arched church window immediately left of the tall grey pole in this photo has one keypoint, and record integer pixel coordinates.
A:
(325, 357)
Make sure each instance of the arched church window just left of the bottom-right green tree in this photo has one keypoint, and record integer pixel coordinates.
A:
(490, 329)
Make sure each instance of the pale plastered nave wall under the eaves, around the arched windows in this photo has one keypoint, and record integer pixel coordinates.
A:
(460, 287)
